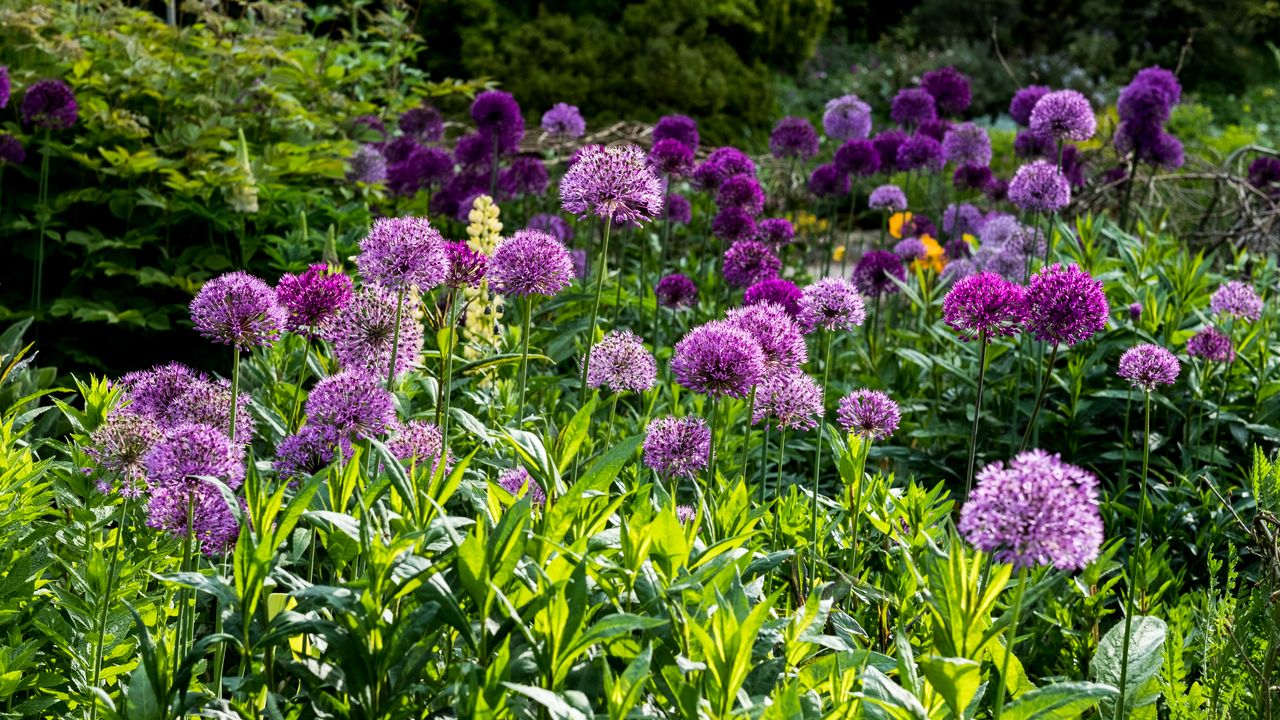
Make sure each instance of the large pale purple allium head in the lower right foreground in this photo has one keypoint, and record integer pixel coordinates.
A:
(1035, 512)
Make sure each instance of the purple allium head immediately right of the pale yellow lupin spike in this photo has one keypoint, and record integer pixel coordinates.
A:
(531, 263)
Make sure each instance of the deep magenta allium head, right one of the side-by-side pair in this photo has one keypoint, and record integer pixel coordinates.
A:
(1066, 306)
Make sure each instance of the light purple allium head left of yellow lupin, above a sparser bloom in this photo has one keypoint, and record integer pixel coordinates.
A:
(404, 253)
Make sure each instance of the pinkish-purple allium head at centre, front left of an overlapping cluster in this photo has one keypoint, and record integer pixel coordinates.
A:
(719, 359)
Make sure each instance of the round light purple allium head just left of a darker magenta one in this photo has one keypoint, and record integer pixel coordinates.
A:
(240, 311)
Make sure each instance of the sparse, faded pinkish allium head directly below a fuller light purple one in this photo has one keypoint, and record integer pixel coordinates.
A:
(364, 332)
